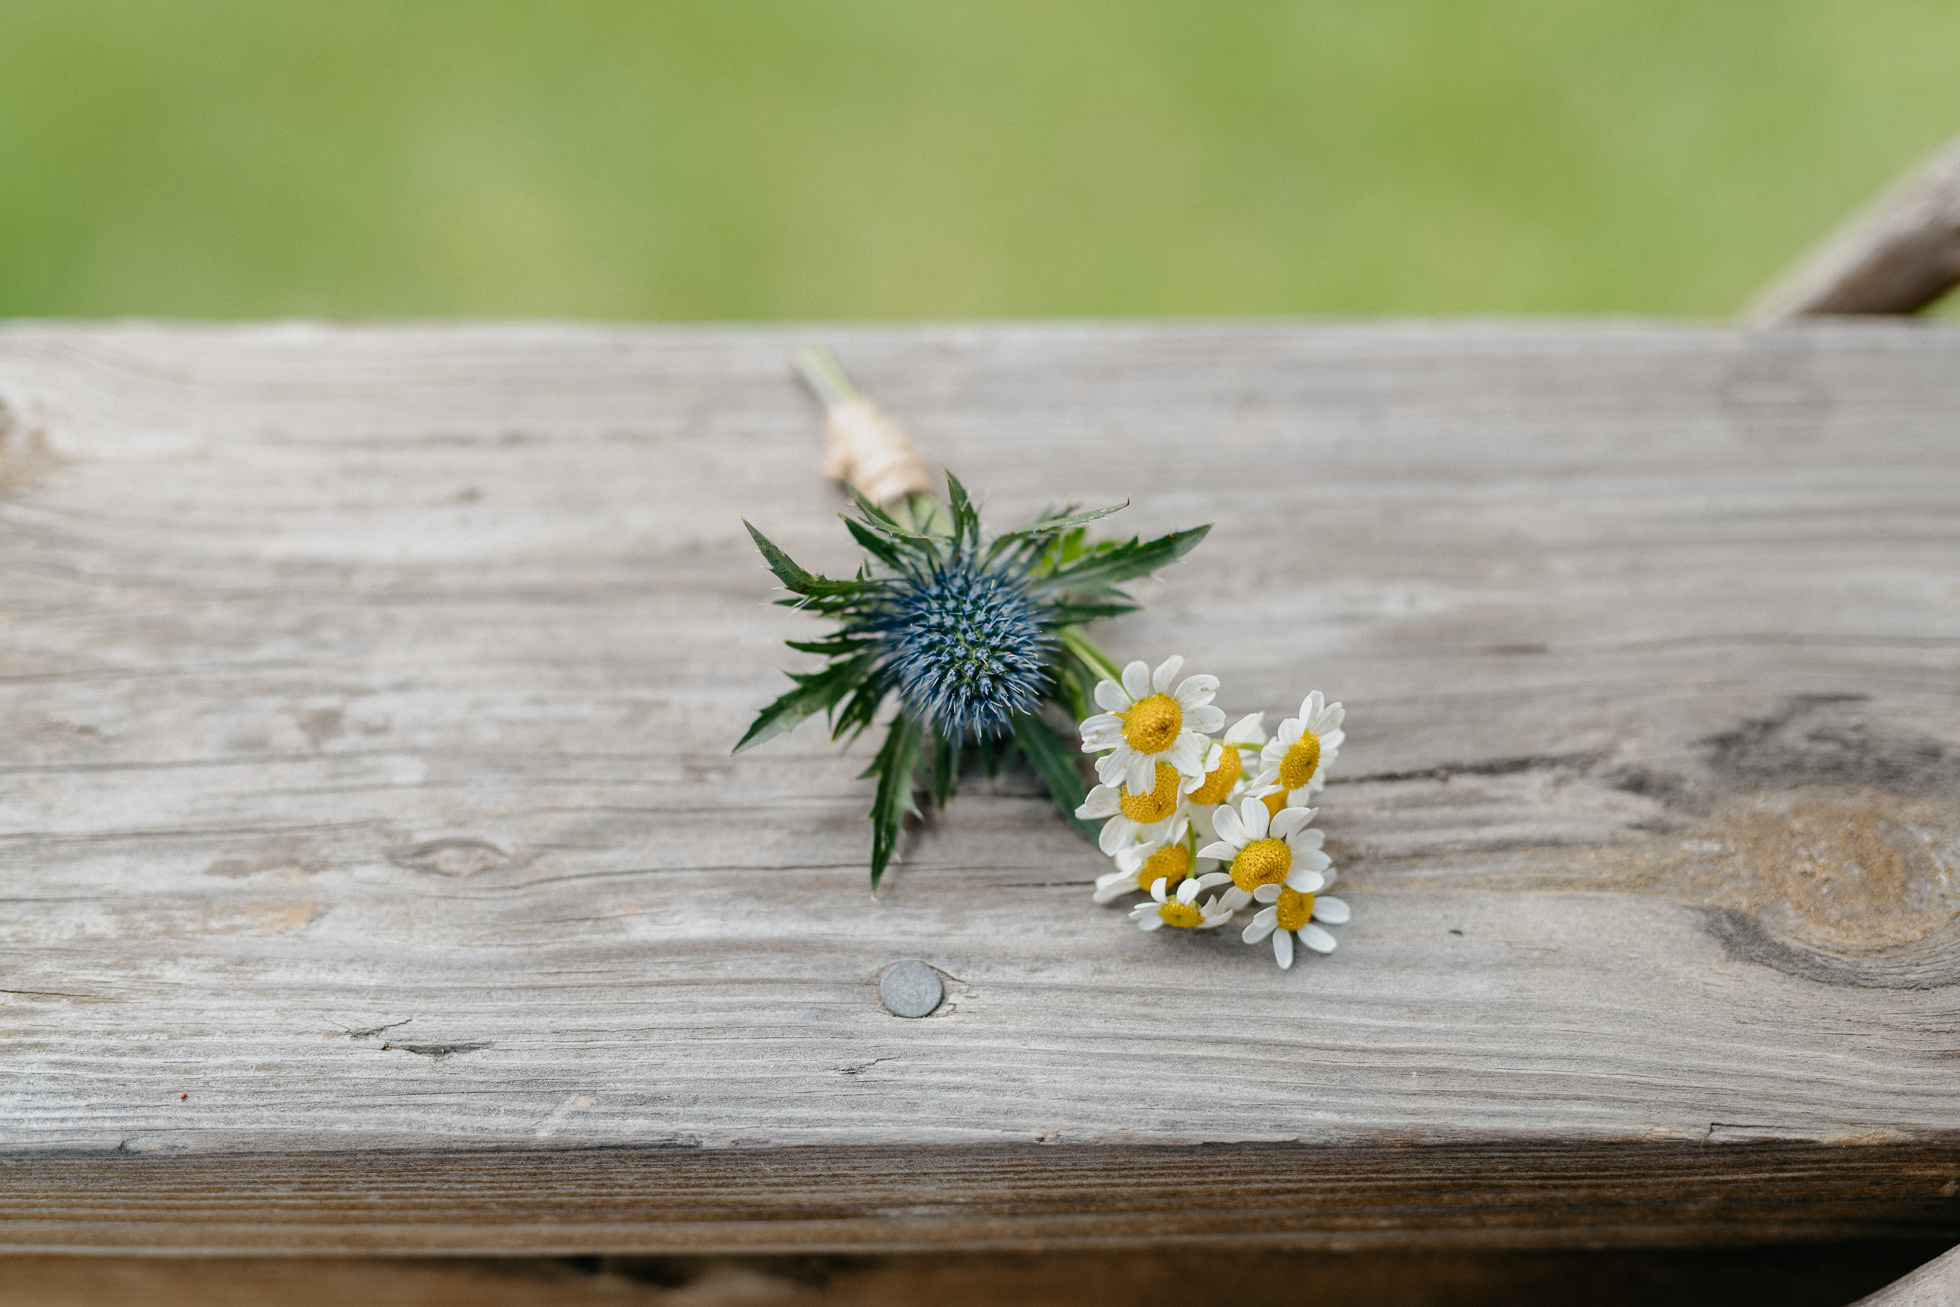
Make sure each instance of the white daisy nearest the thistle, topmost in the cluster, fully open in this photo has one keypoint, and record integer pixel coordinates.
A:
(1146, 724)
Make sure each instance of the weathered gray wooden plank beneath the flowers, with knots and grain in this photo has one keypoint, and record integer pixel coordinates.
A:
(377, 877)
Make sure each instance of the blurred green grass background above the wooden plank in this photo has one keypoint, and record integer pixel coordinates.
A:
(744, 160)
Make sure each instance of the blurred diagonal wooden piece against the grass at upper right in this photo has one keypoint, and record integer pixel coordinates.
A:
(1896, 256)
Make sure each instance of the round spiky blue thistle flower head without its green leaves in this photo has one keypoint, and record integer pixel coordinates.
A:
(967, 646)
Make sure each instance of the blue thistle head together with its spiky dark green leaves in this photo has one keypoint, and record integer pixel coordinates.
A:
(977, 642)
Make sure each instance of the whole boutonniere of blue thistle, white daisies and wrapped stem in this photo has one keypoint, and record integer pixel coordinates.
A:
(967, 646)
